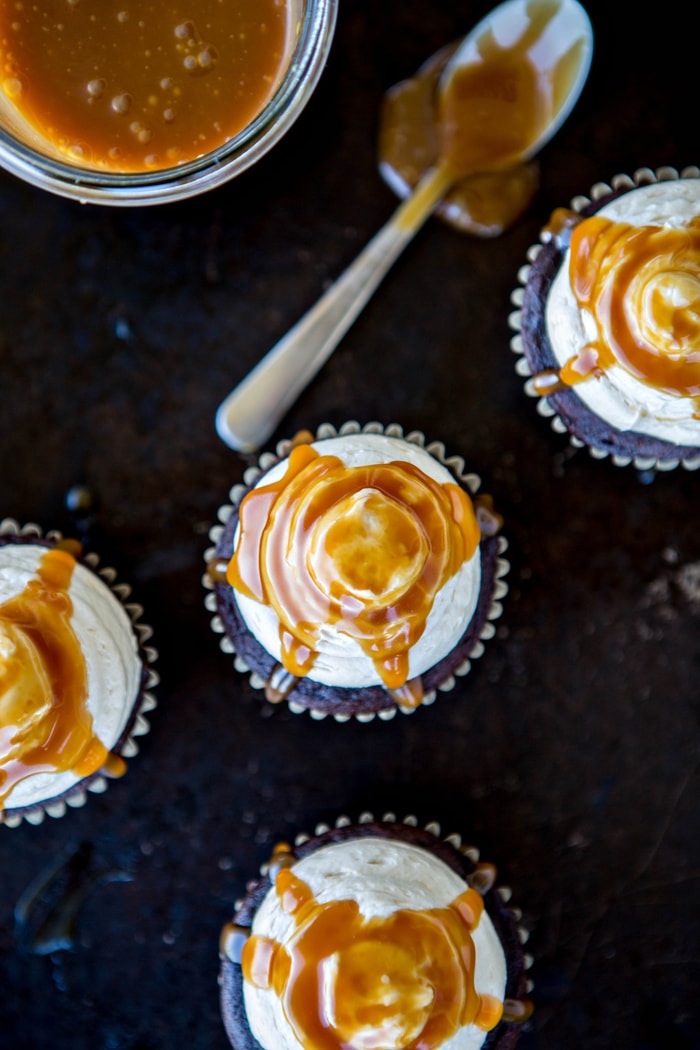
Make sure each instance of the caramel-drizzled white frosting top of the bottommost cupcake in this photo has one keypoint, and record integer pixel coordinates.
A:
(379, 925)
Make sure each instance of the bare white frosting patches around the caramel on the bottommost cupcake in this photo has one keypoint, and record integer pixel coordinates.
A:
(384, 876)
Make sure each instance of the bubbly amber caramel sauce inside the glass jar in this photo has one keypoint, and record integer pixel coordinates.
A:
(135, 87)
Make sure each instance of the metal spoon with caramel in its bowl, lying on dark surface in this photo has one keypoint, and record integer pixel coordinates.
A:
(508, 88)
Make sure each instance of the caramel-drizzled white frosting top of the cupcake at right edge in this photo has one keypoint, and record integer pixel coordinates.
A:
(623, 312)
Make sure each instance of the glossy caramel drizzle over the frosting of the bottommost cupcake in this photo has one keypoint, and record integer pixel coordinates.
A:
(404, 981)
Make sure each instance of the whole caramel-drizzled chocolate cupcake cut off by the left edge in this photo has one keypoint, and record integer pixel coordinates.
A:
(76, 675)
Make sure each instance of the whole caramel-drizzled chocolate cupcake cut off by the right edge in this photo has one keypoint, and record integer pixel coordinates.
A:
(609, 321)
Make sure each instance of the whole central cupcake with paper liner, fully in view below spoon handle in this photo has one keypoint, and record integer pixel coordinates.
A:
(357, 573)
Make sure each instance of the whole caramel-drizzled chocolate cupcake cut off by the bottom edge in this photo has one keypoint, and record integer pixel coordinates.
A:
(375, 934)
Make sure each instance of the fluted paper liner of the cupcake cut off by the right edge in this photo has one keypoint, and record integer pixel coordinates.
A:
(621, 183)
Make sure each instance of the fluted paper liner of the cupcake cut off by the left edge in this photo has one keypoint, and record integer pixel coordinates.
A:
(137, 726)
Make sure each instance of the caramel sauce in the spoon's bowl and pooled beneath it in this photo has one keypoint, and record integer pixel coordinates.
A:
(479, 127)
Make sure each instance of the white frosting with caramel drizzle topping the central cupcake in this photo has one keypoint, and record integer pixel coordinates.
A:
(356, 561)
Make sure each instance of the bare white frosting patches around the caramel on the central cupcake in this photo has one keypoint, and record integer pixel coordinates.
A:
(341, 661)
